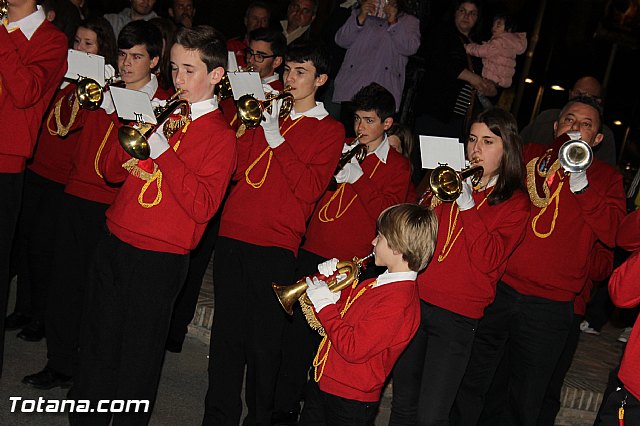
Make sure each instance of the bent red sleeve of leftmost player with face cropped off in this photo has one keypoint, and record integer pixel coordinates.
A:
(27, 79)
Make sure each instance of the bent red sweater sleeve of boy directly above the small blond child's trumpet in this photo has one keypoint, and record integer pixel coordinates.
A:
(308, 179)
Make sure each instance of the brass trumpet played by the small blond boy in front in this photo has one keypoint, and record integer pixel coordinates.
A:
(288, 295)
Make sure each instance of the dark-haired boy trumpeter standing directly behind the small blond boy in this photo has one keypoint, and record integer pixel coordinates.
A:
(348, 212)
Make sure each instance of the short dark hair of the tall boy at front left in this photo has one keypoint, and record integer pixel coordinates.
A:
(209, 42)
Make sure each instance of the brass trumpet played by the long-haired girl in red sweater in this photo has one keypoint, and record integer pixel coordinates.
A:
(446, 184)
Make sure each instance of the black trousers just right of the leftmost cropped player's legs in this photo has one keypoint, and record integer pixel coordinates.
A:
(35, 238)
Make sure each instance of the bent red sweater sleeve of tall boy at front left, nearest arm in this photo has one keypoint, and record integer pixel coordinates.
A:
(200, 191)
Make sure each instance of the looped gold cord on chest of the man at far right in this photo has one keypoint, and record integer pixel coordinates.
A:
(540, 202)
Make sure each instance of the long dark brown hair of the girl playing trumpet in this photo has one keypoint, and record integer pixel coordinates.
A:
(511, 170)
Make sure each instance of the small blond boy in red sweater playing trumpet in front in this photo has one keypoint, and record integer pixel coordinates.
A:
(369, 324)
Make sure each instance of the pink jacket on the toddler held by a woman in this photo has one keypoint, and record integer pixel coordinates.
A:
(499, 56)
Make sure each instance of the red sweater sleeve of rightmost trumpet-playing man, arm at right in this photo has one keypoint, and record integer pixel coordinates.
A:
(603, 207)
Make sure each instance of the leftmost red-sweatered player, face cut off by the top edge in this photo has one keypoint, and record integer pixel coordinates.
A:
(33, 62)
